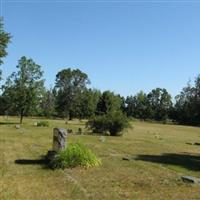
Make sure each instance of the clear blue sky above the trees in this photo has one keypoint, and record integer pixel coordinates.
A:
(123, 46)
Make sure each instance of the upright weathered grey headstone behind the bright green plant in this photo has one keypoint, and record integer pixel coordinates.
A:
(59, 136)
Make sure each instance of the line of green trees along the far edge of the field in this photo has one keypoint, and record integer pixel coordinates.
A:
(24, 94)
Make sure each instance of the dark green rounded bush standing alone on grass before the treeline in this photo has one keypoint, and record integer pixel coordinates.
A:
(113, 122)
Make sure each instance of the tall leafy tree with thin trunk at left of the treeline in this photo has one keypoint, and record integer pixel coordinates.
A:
(23, 89)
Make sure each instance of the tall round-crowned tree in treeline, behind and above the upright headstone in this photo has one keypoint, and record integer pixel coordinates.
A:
(69, 86)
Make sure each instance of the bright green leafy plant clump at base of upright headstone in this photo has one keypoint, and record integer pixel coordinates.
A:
(76, 154)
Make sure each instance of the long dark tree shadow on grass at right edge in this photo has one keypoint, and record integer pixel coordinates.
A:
(190, 162)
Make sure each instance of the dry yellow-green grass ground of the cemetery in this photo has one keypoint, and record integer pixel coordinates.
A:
(159, 155)
